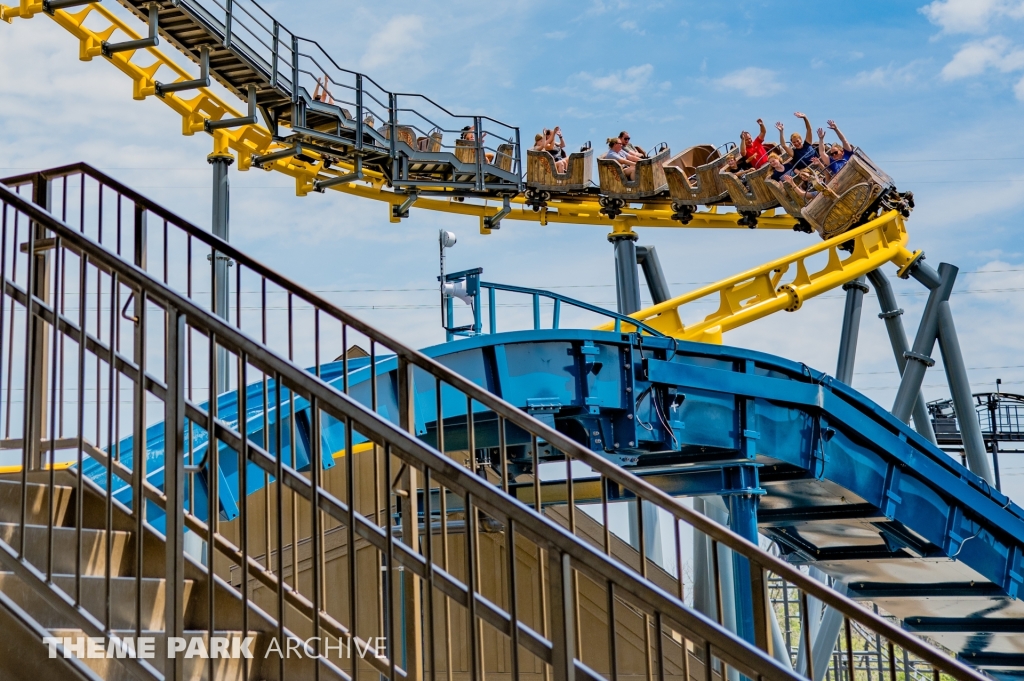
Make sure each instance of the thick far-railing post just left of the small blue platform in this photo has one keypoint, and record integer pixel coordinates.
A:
(412, 606)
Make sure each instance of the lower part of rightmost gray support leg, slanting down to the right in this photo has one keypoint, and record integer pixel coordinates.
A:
(960, 389)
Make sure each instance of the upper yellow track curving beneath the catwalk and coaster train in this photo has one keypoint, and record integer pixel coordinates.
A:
(249, 140)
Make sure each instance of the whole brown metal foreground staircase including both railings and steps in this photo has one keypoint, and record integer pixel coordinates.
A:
(317, 516)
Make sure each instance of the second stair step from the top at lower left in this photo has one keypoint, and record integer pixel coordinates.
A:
(94, 549)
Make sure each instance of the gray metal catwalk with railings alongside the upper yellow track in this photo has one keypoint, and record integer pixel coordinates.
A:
(415, 144)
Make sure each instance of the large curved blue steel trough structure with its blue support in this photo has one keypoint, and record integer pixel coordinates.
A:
(833, 479)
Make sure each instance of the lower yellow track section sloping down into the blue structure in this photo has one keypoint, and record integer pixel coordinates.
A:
(784, 284)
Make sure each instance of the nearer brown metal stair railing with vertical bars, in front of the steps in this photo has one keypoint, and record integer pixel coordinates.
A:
(567, 555)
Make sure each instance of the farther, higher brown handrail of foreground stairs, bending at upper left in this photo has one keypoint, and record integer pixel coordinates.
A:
(761, 563)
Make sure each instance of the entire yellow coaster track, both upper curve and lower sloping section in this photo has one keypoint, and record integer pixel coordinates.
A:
(744, 299)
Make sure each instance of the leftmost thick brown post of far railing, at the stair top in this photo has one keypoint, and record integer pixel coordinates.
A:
(38, 342)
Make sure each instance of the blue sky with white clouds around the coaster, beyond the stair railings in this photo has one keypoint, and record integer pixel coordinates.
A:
(933, 93)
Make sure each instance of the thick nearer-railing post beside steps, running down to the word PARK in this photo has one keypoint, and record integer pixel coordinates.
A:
(175, 476)
